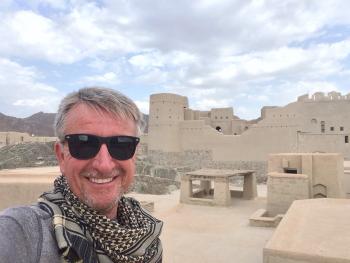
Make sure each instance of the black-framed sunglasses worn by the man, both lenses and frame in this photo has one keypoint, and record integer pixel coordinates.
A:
(86, 146)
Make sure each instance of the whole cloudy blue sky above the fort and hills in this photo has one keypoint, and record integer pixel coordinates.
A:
(219, 53)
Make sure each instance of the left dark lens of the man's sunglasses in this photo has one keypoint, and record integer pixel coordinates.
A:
(83, 146)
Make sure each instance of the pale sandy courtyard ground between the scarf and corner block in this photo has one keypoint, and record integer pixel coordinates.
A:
(195, 233)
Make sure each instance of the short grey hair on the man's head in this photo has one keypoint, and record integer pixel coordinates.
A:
(99, 98)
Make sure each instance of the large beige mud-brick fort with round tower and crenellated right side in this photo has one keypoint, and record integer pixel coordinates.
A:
(319, 123)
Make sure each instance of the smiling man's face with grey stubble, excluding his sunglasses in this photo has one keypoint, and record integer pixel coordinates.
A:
(100, 181)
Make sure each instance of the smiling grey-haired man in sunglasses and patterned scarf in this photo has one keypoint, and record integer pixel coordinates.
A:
(86, 218)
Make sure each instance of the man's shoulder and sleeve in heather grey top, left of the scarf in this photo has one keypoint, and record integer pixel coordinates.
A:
(26, 235)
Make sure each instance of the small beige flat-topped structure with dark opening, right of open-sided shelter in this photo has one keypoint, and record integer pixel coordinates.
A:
(293, 176)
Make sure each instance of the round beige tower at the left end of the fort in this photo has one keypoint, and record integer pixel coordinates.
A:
(165, 112)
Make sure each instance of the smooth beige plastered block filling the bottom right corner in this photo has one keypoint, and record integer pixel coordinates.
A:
(312, 231)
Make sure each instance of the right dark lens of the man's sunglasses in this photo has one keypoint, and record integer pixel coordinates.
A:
(122, 147)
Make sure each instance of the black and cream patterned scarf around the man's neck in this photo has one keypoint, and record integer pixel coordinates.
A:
(84, 235)
